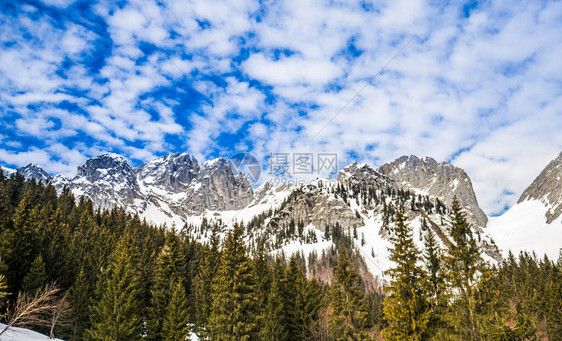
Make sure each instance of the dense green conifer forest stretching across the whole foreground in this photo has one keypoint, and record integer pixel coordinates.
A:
(77, 273)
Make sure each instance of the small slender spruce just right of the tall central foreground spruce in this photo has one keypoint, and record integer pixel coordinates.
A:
(274, 328)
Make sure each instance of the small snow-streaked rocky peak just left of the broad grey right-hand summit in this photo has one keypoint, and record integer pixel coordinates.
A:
(363, 174)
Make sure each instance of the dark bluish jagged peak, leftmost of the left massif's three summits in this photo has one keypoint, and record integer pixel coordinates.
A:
(108, 180)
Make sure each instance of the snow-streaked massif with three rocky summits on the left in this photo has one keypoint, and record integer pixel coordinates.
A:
(165, 190)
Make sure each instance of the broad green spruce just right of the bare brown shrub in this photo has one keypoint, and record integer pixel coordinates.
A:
(117, 315)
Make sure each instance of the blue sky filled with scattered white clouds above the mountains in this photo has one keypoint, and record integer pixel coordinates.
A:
(474, 83)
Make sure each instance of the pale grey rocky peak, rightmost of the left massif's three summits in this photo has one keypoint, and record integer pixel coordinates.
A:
(217, 188)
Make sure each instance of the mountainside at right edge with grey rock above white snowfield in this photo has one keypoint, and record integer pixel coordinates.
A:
(535, 222)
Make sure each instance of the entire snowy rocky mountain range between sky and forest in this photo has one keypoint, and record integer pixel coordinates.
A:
(177, 191)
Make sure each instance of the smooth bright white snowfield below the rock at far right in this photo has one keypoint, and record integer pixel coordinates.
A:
(524, 227)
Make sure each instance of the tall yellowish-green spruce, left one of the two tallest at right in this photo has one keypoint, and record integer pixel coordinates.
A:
(406, 309)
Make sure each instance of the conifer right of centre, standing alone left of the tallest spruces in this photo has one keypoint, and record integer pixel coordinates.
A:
(348, 318)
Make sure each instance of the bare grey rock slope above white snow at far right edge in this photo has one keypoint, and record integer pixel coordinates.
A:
(547, 187)
